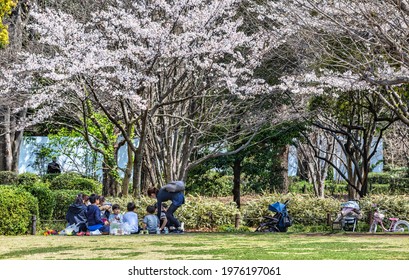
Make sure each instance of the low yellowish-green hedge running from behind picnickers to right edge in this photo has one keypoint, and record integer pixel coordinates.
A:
(308, 212)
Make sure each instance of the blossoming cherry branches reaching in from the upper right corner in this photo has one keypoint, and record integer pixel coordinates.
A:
(353, 44)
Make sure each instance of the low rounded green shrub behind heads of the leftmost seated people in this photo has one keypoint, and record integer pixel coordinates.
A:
(74, 181)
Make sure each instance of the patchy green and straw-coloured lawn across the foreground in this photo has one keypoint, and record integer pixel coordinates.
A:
(208, 246)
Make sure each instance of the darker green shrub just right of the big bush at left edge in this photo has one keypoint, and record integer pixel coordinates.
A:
(45, 197)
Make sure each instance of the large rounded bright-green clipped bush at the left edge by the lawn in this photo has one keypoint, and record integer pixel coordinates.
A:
(16, 209)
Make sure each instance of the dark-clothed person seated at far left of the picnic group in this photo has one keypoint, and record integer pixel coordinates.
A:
(77, 214)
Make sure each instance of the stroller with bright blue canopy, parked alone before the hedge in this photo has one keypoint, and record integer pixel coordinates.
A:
(277, 223)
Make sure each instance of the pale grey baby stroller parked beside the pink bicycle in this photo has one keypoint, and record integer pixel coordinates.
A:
(347, 218)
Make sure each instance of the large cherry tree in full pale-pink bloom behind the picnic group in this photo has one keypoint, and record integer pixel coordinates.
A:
(165, 72)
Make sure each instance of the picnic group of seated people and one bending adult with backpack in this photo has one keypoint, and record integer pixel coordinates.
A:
(93, 215)
